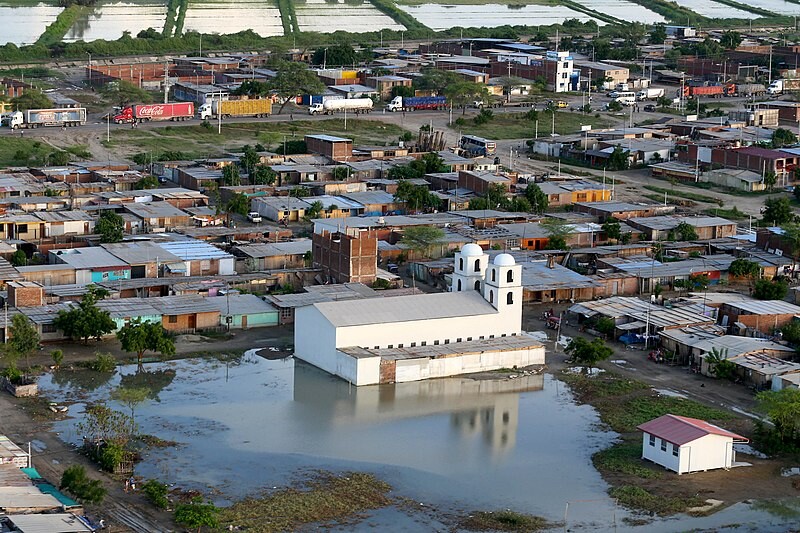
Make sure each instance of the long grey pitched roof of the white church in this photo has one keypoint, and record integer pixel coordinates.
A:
(405, 308)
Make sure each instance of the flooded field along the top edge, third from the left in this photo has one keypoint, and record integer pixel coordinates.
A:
(232, 16)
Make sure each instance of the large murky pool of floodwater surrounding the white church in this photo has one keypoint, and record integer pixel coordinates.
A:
(454, 445)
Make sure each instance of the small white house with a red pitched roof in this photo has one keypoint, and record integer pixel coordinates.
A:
(686, 445)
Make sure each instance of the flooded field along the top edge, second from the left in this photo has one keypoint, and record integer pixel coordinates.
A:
(109, 19)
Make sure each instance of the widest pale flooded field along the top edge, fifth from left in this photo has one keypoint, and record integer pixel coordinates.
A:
(446, 16)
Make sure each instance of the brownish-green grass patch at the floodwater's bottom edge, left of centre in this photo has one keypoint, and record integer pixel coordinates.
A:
(326, 498)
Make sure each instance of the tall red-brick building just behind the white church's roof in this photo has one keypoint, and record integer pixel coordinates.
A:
(346, 256)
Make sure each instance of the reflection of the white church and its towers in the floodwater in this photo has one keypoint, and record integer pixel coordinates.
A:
(487, 409)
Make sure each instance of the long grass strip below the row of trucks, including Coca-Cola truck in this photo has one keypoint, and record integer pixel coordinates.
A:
(196, 141)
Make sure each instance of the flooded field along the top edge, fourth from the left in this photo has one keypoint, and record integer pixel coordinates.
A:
(328, 16)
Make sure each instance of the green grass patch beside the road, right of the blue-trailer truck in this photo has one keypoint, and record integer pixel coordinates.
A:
(516, 126)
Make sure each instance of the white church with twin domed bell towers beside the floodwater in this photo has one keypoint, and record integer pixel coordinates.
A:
(475, 327)
